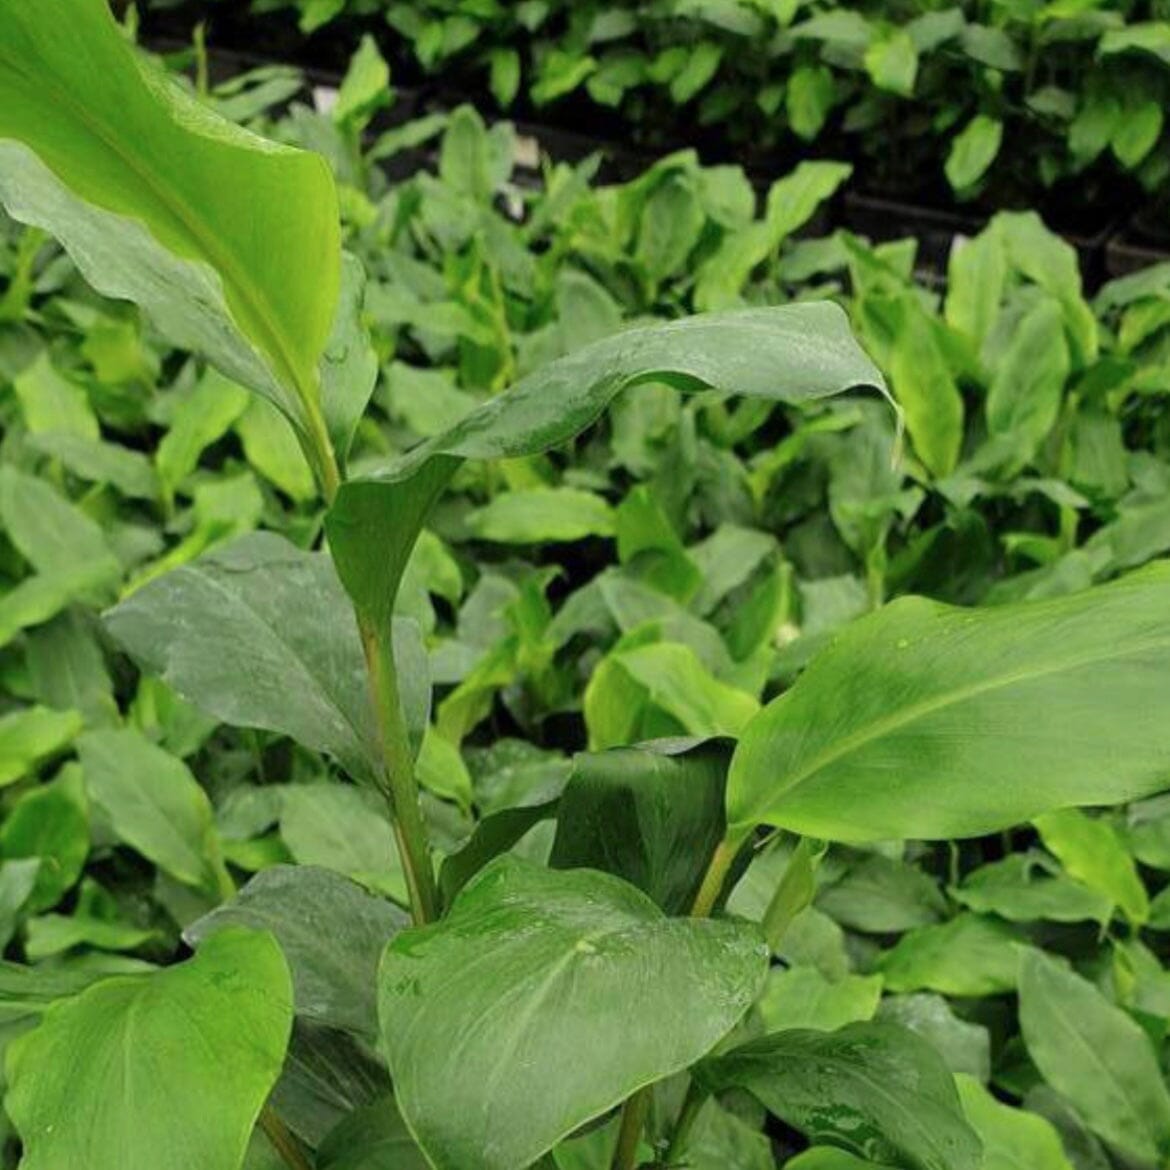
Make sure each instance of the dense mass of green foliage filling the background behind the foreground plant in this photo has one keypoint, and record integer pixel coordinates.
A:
(670, 572)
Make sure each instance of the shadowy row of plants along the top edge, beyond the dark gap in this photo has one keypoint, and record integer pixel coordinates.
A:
(925, 97)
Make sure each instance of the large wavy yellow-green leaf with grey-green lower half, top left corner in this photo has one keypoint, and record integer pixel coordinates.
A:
(230, 242)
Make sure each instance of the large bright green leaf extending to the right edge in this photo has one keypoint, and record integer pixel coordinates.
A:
(932, 721)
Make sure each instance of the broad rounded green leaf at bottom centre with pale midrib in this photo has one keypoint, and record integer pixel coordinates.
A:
(542, 1001)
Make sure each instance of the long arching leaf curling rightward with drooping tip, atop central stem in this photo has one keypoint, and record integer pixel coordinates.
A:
(793, 354)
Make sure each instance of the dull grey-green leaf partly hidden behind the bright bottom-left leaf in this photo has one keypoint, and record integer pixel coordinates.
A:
(333, 935)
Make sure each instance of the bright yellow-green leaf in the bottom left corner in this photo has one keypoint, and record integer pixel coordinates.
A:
(228, 1013)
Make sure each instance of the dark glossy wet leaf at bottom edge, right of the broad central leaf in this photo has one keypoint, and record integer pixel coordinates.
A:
(875, 1090)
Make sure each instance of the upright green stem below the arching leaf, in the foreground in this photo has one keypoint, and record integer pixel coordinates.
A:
(402, 789)
